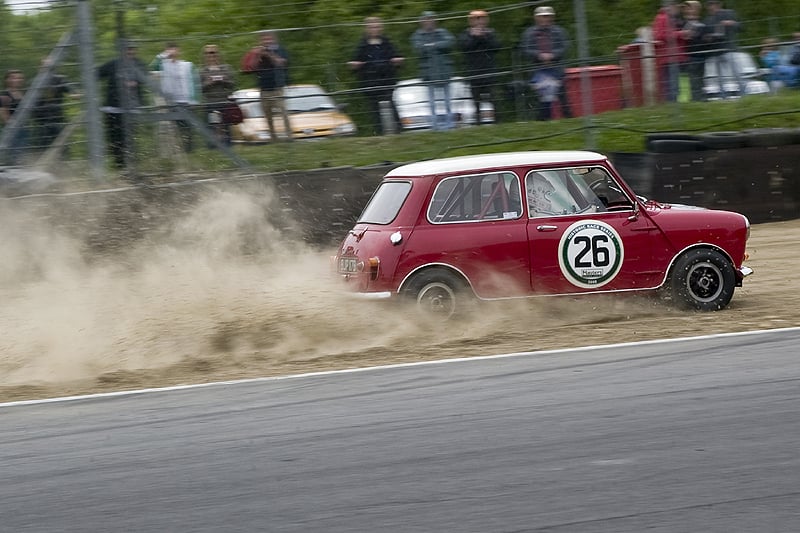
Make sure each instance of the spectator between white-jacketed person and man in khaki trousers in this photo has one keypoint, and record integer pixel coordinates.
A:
(217, 83)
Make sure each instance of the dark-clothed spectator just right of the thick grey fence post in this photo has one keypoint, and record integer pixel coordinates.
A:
(126, 78)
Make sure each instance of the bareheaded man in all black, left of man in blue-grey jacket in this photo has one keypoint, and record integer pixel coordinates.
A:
(376, 61)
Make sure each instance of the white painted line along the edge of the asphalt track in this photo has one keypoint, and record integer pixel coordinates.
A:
(384, 367)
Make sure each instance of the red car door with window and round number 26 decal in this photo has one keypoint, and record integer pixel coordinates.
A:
(586, 234)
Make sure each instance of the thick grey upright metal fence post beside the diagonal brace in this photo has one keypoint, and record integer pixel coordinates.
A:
(94, 132)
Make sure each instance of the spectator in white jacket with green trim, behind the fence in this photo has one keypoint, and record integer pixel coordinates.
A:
(179, 82)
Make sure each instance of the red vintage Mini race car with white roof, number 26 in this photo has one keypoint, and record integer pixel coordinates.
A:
(441, 233)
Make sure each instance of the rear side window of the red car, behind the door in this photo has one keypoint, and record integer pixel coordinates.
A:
(479, 197)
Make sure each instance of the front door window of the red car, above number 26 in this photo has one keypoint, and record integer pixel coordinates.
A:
(573, 190)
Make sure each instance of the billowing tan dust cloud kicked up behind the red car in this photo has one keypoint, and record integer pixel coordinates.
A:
(218, 293)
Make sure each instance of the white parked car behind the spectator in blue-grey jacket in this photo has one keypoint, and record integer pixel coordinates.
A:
(411, 101)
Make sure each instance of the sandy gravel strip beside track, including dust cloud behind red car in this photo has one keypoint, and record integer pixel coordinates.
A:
(220, 293)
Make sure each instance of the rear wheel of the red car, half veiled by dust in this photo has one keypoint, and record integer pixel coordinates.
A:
(438, 293)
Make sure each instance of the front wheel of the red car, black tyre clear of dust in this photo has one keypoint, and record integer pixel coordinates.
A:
(703, 280)
